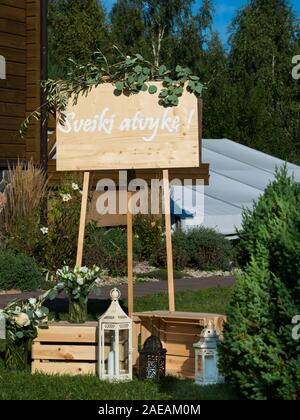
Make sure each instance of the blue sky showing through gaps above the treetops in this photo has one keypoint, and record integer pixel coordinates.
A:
(224, 12)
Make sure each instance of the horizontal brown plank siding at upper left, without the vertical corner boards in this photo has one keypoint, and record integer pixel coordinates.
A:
(13, 89)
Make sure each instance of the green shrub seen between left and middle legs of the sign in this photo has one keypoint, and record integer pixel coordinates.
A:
(107, 248)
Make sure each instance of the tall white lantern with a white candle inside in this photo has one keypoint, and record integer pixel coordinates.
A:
(115, 342)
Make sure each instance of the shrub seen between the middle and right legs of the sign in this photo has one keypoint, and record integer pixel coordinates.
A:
(148, 229)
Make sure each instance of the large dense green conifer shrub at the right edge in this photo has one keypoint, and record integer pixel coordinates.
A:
(258, 354)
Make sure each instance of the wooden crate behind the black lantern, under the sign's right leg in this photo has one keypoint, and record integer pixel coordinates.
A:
(178, 331)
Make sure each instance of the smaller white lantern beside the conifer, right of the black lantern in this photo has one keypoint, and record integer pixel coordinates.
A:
(206, 357)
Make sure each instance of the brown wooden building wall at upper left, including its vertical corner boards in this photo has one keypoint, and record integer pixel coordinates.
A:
(20, 92)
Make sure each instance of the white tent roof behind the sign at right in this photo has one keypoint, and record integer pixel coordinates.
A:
(238, 176)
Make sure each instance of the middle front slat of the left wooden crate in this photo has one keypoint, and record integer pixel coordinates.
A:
(63, 352)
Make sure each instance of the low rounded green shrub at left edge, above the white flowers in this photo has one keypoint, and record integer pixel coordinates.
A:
(18, 271)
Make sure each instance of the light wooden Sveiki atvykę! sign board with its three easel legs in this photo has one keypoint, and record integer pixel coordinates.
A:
(105, 133)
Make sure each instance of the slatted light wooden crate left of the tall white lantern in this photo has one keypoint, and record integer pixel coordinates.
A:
(66, 348)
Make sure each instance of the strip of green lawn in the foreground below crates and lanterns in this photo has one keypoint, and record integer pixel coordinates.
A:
(24, 386)
